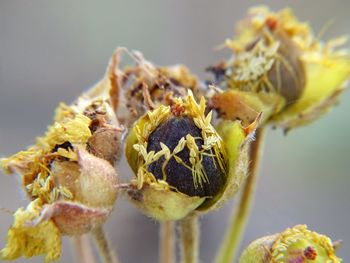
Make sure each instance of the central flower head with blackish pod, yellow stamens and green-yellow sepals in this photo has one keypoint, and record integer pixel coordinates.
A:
(181, 161)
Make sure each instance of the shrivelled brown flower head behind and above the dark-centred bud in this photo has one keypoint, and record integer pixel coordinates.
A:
(145, 86)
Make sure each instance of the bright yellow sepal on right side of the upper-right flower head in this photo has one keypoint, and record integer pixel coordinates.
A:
(327, 78)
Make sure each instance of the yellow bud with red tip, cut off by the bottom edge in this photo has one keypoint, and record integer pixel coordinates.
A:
(297, 244)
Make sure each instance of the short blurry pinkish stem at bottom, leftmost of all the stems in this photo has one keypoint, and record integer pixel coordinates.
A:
(83, 249)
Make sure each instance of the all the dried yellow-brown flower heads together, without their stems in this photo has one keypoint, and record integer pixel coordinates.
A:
(187, 144)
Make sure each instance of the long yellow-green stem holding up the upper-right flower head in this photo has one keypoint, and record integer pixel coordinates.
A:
(233, 237)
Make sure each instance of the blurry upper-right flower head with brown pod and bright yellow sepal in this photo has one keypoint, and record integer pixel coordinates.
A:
(279, 68)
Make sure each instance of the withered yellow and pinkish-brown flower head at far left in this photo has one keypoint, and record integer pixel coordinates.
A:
(68, 176)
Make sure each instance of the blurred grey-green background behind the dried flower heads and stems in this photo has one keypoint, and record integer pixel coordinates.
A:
(51, 51)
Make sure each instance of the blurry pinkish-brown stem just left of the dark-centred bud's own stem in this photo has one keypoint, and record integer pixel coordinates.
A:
(167, 242)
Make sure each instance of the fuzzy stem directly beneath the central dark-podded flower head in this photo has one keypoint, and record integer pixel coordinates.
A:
(189, 231)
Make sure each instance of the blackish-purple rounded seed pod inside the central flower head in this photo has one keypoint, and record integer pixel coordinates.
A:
(182, 132)
